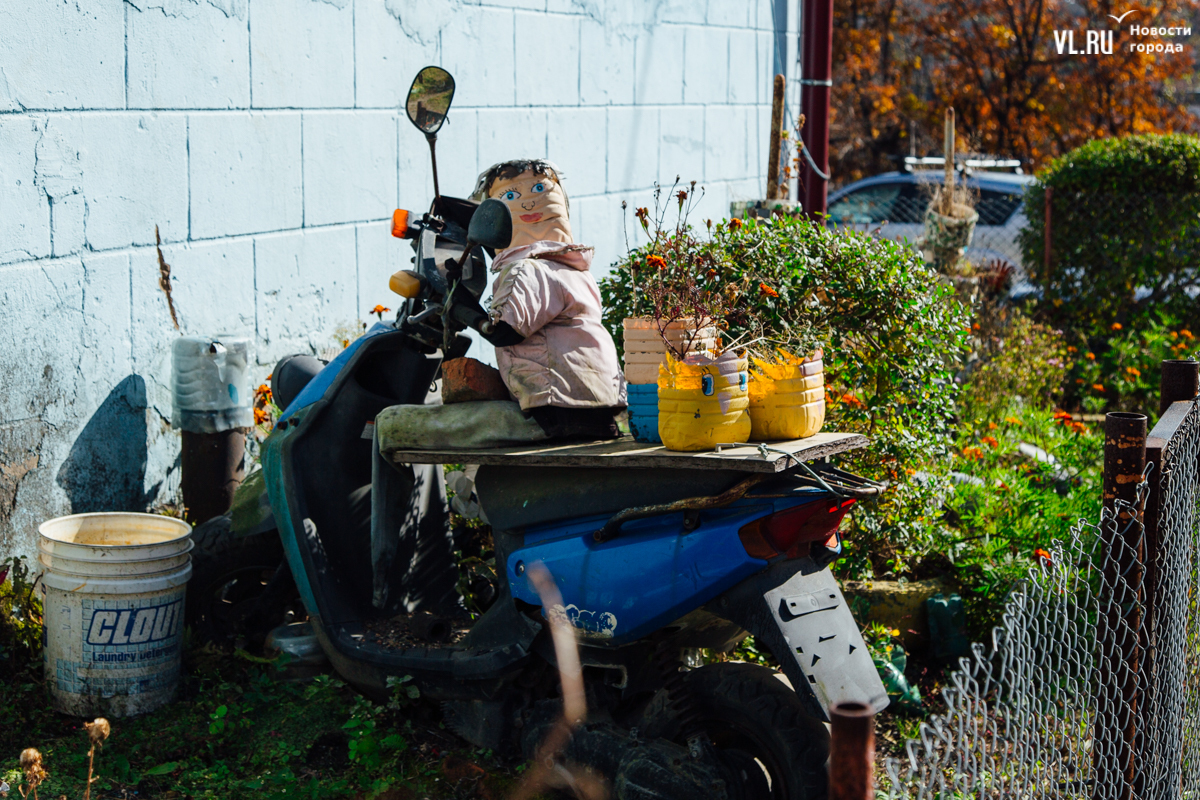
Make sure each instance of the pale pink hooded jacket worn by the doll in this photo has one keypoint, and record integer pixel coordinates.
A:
(568, 359)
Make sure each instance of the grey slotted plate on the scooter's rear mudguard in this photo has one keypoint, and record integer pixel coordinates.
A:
(825, 641)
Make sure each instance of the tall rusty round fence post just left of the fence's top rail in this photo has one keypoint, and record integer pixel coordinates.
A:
(1118, 701)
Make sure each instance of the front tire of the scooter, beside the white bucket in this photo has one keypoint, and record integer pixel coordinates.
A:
(231, 573)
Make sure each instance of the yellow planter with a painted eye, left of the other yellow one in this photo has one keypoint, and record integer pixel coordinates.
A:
(703, 402)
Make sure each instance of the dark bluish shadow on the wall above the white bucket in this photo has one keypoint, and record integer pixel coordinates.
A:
(107, 466)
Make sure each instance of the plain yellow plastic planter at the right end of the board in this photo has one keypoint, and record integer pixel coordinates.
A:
(787, 399)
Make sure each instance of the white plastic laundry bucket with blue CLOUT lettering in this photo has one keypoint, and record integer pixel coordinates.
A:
(115, 587)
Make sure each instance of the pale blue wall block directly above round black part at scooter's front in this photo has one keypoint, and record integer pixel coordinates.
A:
(307, 291)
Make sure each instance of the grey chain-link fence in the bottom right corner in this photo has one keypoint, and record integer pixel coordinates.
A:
(1093, 685)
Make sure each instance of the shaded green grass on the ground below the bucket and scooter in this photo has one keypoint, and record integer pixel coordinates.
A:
(239, 729)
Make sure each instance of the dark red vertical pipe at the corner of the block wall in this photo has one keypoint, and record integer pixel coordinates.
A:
(817, 86)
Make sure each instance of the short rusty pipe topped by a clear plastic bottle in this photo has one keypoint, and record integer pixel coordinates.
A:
(212, 468)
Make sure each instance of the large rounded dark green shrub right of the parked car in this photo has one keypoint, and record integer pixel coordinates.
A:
(1125, 216)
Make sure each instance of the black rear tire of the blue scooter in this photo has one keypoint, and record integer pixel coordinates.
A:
(755, 720)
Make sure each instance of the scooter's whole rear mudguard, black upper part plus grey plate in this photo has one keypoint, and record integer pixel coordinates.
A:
(806, 623)
